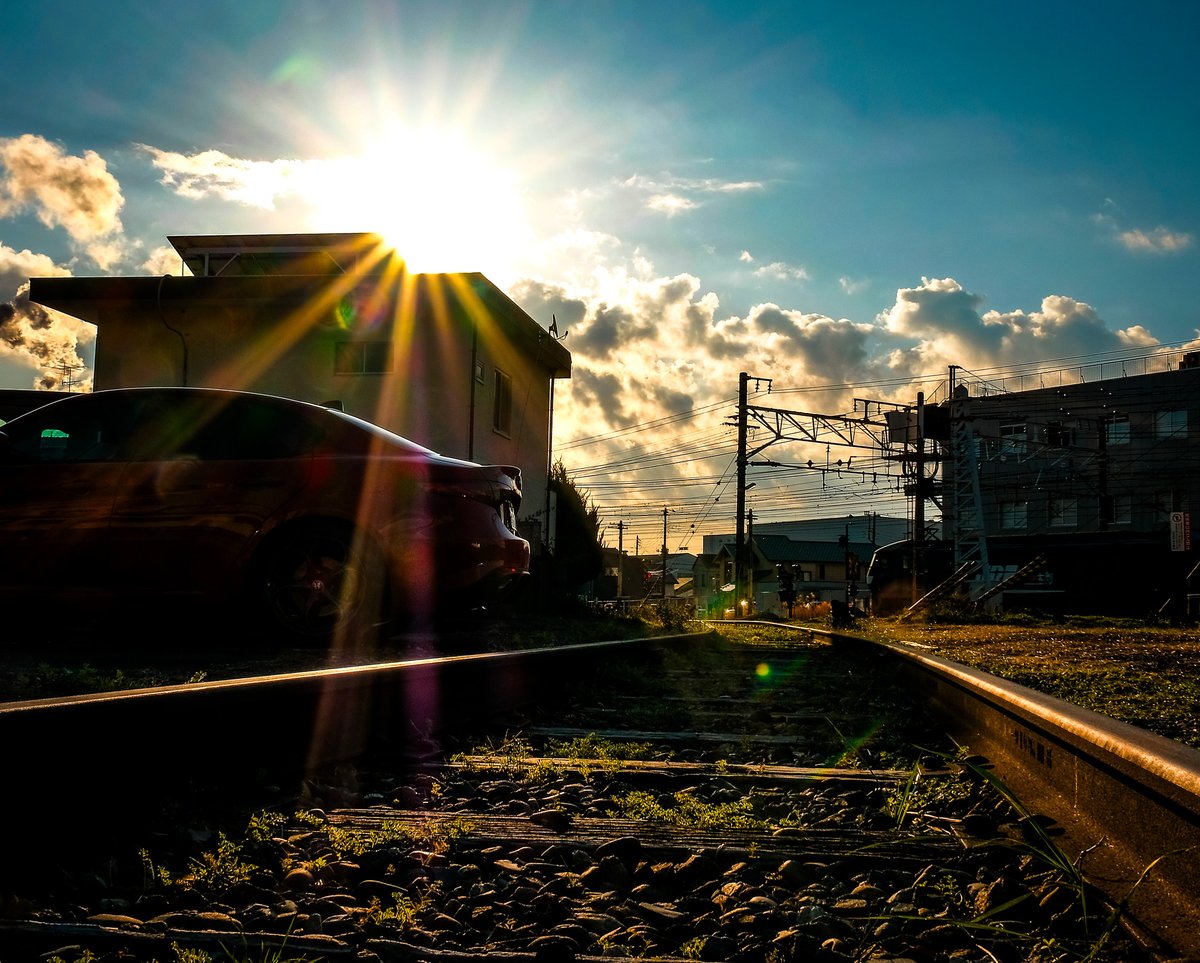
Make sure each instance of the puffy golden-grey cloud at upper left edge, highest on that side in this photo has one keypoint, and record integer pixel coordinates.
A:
(77, 194)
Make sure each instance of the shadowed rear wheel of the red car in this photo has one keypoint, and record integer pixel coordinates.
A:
(321, 582)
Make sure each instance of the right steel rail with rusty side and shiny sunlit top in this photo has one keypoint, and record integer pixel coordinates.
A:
(1126, 801)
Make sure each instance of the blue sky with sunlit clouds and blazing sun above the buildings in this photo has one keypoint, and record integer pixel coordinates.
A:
(844, 198)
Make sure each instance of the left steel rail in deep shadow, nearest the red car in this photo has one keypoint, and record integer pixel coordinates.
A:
(83, 770)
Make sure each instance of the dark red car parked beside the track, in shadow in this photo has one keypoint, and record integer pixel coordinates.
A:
(320, 522)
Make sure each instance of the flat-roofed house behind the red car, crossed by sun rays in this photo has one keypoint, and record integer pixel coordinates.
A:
(445, 360)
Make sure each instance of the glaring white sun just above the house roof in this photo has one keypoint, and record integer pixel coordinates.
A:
(441, 204)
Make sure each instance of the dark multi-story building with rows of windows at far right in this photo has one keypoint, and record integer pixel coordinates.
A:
(1078, 497)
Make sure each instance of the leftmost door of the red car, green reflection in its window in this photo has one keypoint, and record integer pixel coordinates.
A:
(61, 470)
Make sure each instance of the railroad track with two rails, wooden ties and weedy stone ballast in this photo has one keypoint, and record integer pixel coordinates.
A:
(680, 798)
